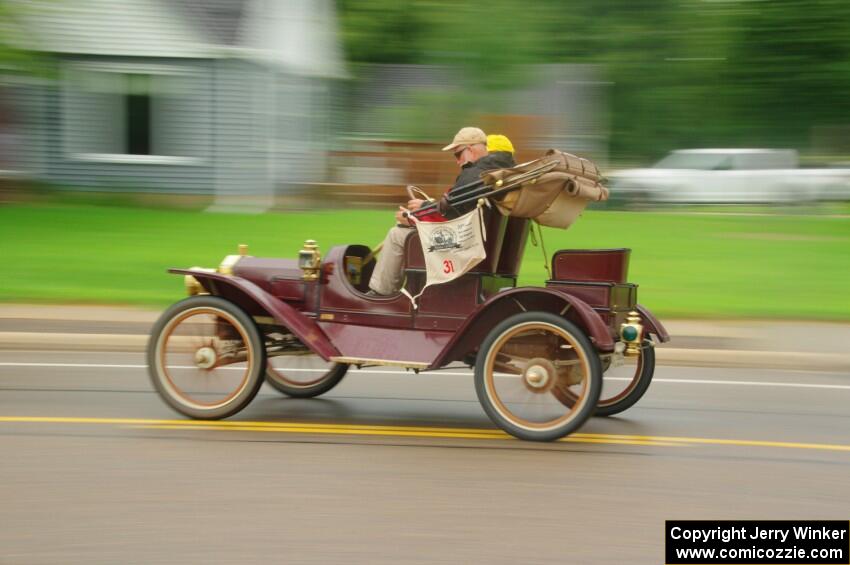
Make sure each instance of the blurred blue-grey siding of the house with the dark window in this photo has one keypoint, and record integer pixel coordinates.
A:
(247, 127)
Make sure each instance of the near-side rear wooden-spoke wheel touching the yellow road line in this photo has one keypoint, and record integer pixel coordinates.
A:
(524, 368)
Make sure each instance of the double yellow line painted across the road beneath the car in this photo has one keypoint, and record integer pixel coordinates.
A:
(409, 431)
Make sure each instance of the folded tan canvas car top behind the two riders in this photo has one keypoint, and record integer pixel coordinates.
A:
(557, 195)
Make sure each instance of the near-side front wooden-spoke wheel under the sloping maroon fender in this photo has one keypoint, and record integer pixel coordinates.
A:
(206, 358)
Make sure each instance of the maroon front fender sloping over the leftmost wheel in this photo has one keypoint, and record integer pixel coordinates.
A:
(245, 293)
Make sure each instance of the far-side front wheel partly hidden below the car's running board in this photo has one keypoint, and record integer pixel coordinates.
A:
(304, 375)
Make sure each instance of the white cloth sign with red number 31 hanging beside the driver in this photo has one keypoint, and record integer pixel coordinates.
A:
(450, 248)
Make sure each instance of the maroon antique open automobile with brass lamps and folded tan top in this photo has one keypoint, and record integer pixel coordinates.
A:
(545, 358)
